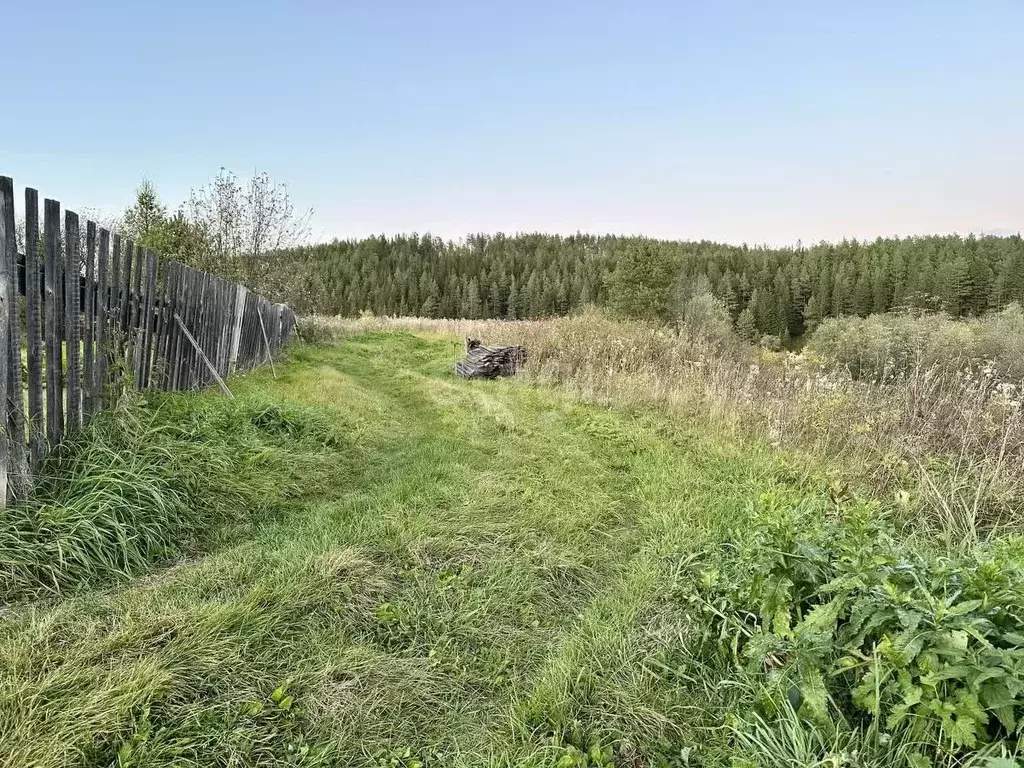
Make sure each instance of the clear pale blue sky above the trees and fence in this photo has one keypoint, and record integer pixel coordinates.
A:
(737, 121)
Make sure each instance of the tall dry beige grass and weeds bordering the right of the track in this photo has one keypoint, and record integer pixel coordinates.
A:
(942, 441)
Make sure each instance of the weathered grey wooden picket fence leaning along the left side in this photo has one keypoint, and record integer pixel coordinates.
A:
(101, 314)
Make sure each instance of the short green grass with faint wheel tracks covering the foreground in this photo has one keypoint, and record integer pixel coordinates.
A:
(467, 574)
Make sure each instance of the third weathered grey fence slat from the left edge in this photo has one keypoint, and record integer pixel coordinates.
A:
(54, 328)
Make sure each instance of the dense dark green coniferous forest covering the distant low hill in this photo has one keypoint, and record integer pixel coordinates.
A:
(778, 291)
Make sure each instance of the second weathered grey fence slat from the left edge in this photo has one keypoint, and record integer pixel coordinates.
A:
(34, 329)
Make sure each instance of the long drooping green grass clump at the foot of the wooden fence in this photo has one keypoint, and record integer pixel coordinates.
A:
(156, 480)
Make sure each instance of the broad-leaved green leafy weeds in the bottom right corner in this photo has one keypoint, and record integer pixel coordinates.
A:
(824, 612)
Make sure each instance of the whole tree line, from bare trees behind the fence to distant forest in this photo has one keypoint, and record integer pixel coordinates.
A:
(251, 233)
